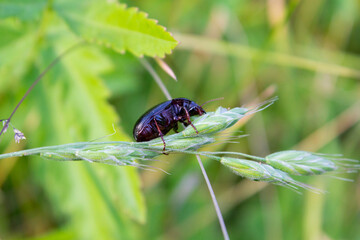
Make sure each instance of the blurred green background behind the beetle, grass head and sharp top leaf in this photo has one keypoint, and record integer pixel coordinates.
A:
(306, 52)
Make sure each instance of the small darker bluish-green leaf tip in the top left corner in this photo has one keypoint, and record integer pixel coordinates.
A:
(22, 9)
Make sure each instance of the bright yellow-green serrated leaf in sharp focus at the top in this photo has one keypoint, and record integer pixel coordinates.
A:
(115, 26)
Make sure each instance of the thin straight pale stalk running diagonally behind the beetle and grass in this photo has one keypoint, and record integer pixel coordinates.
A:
(212, 194)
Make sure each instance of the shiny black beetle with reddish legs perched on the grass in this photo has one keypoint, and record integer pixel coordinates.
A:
(165, 116)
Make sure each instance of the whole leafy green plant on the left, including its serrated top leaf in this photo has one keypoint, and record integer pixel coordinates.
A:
(101, 202)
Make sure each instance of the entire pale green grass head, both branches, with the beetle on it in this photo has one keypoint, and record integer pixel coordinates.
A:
(275, 168)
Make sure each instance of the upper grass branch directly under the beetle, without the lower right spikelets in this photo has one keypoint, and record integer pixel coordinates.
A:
(122, 153)
